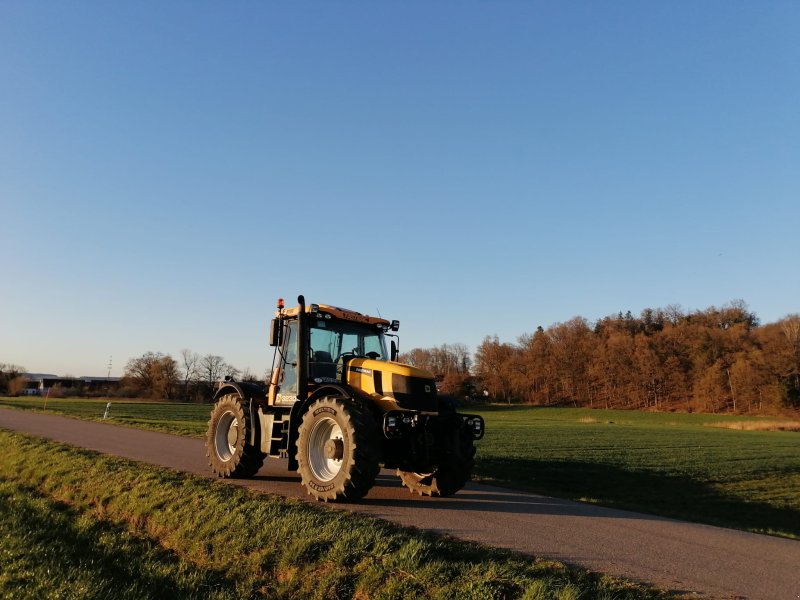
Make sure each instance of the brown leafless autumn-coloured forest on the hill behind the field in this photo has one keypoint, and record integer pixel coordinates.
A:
(712, 360)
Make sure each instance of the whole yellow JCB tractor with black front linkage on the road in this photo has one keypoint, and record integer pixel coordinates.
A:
(339, 407)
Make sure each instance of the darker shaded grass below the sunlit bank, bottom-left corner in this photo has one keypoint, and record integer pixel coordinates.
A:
(50, 549)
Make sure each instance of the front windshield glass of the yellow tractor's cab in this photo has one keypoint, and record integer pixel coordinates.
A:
(330, 338)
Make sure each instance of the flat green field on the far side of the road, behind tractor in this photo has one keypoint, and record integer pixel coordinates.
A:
(682, 465)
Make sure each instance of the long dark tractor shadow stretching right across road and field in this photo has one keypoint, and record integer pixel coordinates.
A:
(613, 493)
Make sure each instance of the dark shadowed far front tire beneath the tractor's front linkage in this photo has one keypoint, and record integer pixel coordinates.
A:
(450, 476)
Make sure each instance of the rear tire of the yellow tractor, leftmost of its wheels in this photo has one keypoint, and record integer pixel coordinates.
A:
(227, 447)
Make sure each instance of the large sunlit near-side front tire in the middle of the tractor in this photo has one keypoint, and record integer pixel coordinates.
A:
(338, 450)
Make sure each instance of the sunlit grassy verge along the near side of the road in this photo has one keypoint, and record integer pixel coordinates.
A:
(77, 524)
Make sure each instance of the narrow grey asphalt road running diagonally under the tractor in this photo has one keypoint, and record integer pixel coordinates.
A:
(697, 559)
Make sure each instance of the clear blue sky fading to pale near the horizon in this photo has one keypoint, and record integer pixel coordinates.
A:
(169, 169)
